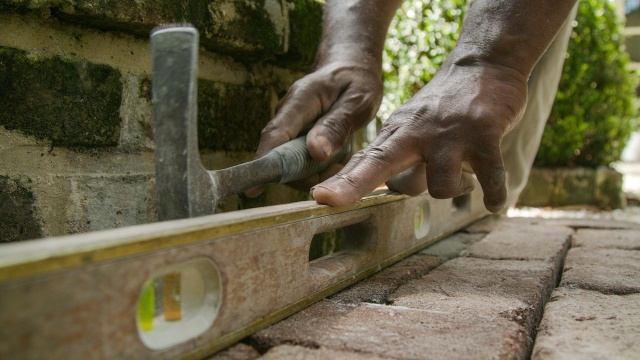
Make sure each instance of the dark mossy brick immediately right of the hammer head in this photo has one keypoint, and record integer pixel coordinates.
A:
(231, 117)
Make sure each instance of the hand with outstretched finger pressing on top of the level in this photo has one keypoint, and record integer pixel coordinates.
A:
(460, 116)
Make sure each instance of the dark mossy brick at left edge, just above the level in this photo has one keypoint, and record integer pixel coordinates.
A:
(17, 218)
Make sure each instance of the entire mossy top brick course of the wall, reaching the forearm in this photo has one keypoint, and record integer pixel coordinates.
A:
(248, 29)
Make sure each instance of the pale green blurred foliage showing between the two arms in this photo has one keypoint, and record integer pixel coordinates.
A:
(420, 37)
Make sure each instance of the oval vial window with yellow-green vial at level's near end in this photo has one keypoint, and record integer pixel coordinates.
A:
(178, 303)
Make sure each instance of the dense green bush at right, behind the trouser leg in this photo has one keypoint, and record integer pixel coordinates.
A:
(594, 111)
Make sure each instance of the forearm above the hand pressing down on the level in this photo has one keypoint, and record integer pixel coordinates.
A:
(512, 33)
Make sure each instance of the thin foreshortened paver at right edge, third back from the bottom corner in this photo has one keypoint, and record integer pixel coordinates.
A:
(614, 239)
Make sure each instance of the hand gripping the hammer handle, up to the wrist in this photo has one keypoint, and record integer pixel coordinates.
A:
(330, 103)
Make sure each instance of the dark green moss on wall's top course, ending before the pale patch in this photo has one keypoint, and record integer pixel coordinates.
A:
(248, 32)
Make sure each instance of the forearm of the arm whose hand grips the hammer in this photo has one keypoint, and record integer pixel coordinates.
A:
(355, 30)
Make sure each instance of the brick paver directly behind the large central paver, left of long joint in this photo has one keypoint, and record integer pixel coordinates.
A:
(524, 242)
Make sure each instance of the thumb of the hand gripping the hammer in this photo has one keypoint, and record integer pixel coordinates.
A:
(351, 111)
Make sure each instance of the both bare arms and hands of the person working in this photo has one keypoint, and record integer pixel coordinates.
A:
(459, 118)
